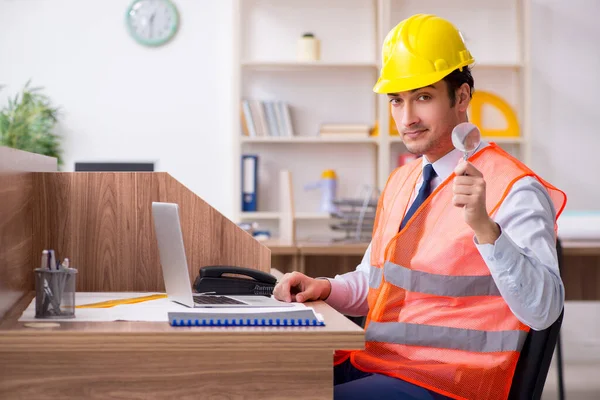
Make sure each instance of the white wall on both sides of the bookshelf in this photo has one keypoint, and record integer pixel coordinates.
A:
(172, 105)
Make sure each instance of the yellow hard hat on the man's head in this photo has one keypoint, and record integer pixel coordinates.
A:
(420, 51)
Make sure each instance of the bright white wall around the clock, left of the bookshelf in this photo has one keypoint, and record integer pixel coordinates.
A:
(122, 101)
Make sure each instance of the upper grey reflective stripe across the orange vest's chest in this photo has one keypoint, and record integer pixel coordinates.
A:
(439, 285)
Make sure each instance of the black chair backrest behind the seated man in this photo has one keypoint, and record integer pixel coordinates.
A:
(536, 355)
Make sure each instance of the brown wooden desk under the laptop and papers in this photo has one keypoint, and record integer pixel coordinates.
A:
(156, 361)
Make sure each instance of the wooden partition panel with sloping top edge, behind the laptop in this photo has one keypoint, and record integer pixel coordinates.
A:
(103, 223)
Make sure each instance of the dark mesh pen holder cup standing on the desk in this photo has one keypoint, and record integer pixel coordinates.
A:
(55, 293)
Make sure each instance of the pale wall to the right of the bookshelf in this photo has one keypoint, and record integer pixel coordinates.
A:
(565, 90)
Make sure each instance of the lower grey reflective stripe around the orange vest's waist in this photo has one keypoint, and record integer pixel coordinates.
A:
(445, 337)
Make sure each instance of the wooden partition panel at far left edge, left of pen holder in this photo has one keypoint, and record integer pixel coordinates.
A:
(16, 222)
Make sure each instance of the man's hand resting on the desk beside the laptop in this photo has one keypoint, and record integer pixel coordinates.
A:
(300, 288)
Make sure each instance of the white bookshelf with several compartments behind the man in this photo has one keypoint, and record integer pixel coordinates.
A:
(338, 89)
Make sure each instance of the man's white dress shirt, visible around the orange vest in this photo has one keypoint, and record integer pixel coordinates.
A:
(522, 261)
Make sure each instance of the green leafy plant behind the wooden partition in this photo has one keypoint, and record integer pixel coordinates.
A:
(28, 122)
